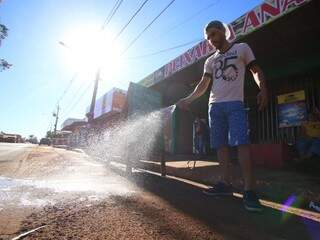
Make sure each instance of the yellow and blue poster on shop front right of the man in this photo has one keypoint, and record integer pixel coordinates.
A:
(292, 109)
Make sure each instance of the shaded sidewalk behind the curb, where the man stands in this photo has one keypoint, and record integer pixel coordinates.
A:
(278, 186)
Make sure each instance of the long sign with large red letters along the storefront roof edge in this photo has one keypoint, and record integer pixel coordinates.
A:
(263, 14)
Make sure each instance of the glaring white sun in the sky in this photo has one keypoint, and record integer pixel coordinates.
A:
(88, 48)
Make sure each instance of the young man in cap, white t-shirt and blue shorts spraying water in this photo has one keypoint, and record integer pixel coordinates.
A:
(227, 117)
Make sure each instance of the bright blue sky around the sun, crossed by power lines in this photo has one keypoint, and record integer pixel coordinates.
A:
(42, 69)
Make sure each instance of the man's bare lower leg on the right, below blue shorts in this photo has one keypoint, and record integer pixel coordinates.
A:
(246, 166)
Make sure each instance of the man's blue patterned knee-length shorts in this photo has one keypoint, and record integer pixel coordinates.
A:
(228, 124)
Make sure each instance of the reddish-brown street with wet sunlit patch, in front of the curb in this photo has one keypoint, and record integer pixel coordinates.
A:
(72, 196)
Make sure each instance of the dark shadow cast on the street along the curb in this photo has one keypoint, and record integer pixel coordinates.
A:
(225, 215)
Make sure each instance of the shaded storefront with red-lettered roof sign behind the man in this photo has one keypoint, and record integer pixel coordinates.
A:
(283, 35)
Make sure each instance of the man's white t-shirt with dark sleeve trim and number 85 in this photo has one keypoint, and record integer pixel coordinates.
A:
(227, 70)
